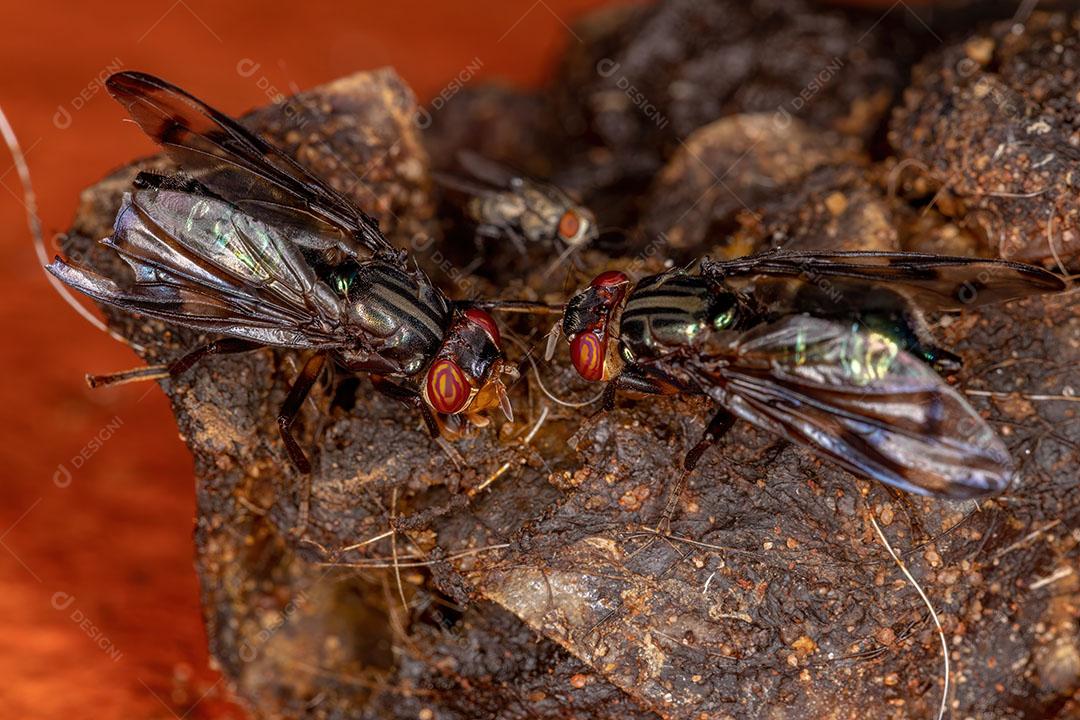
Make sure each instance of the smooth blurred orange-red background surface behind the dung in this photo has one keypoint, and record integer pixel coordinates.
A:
(116, 544)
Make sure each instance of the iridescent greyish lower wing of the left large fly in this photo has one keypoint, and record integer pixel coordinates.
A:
(202, 264)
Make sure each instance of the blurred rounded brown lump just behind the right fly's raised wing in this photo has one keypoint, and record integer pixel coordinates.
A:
(758, 181)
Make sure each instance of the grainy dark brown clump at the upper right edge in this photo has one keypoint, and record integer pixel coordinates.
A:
(995, 124)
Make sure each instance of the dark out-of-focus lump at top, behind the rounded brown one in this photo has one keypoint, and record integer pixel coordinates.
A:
(643, 80)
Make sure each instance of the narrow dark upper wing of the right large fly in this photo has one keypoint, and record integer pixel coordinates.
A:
(936, 282)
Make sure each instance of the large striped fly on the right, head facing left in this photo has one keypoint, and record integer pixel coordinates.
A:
(826, 350)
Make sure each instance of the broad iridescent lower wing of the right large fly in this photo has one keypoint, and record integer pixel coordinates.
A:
(855, 398)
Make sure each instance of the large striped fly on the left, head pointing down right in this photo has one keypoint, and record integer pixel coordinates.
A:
(252, 247)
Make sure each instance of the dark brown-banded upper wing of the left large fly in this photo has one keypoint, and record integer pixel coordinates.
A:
(245, 169)
